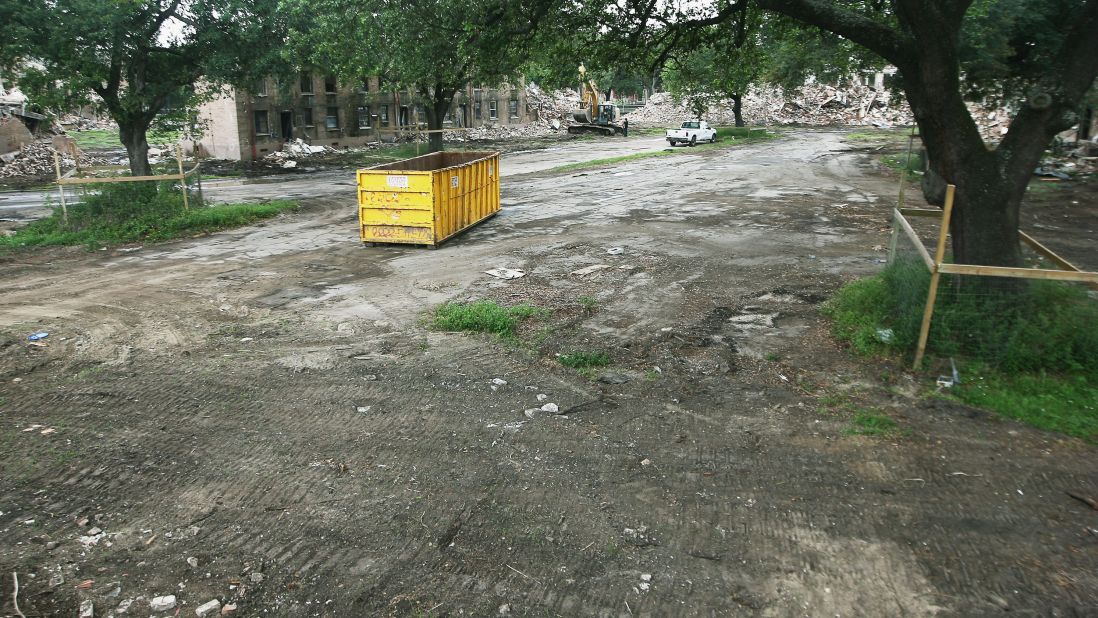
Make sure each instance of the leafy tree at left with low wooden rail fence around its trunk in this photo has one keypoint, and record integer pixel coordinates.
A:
(138, 58)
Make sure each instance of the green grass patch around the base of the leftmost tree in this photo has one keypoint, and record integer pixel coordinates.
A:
(137, 214)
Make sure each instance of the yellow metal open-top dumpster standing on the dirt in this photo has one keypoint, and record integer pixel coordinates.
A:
(427, 200)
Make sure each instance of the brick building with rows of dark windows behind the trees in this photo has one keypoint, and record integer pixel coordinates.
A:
(324, 113)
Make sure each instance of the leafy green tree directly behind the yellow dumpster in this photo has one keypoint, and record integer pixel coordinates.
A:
(435, 48)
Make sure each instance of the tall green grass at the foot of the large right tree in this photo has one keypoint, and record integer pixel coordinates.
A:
(1030, 355)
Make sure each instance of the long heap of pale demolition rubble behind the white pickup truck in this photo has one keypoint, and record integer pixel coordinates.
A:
(815, 105)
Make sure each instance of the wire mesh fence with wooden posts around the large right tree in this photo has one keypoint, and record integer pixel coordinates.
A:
(1022, 323)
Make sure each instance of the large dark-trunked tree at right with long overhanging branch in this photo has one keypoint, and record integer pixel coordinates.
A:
(1040, 53)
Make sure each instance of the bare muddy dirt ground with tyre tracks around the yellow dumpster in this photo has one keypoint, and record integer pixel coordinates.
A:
(262, 417)
